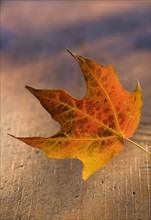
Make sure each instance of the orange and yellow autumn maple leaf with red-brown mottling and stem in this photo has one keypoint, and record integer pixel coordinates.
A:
(94, 128)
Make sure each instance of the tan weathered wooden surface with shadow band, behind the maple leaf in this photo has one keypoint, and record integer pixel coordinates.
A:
(32, 186)
